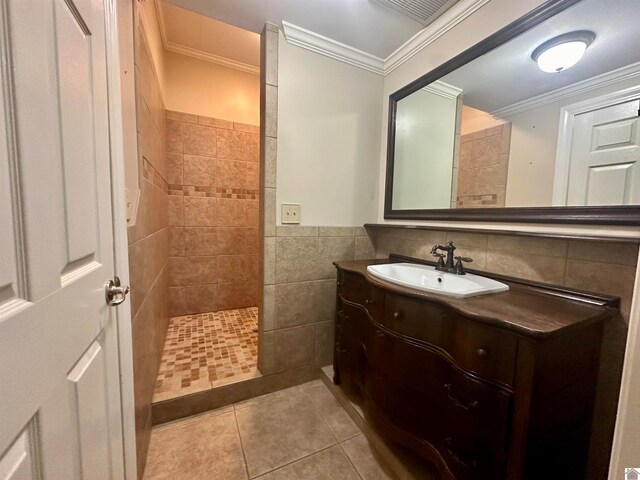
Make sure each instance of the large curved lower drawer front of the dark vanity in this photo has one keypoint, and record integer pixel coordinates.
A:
(427, 397)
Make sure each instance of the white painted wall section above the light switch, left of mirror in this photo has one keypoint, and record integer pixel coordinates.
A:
(329, 116)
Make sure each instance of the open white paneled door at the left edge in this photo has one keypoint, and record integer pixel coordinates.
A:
(60, 414)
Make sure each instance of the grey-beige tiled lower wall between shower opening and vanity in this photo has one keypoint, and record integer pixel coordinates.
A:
(299, 293)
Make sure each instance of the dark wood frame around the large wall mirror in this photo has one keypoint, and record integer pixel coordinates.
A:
(605, 215)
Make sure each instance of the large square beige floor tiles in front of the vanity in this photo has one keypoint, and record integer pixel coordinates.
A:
(300, 433)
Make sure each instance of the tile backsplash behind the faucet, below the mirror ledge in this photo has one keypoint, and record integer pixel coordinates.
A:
(605, 267)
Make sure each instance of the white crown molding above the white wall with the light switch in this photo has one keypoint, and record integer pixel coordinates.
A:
(317, 43)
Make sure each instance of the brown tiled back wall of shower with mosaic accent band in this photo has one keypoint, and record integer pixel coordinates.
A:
(213, 169)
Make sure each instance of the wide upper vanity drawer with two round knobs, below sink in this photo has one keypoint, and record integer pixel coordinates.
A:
(484, 350)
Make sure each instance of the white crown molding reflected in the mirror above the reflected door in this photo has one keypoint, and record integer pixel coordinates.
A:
(609, 78)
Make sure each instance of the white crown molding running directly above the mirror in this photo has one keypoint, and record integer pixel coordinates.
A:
(432, 32)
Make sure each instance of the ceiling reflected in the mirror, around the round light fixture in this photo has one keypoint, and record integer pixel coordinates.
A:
(508, 75)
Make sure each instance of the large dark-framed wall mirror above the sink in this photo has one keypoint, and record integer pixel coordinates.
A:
(490, 136)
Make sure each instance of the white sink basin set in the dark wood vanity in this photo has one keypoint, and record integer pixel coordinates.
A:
(428, 279)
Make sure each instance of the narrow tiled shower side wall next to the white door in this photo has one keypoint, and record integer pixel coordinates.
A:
(148, 244)
